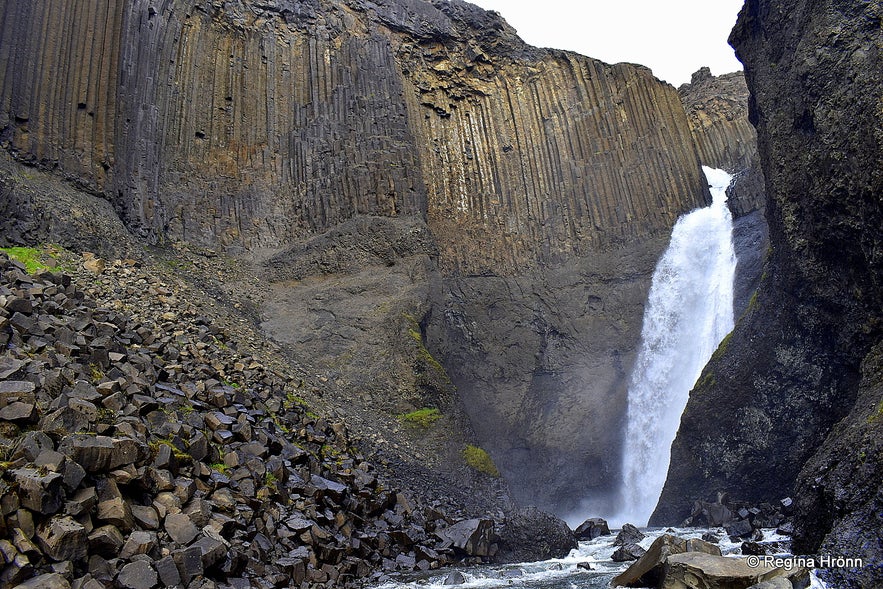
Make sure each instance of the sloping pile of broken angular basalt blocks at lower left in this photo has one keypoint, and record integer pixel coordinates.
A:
(141, 454)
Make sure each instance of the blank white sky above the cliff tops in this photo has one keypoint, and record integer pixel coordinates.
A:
(674, 38)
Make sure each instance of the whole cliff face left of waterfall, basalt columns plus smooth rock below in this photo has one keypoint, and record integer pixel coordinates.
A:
(394, 169)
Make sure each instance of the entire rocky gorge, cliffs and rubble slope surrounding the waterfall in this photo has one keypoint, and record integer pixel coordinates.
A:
(395, 218)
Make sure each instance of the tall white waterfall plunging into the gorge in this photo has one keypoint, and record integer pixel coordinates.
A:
(689, 311)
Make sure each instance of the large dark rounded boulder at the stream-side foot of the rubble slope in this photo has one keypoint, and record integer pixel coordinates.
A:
(531, 534)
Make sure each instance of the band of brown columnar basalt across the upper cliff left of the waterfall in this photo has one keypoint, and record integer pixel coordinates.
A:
(255, 124)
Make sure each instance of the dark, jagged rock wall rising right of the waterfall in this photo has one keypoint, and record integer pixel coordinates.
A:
(791, 369)
